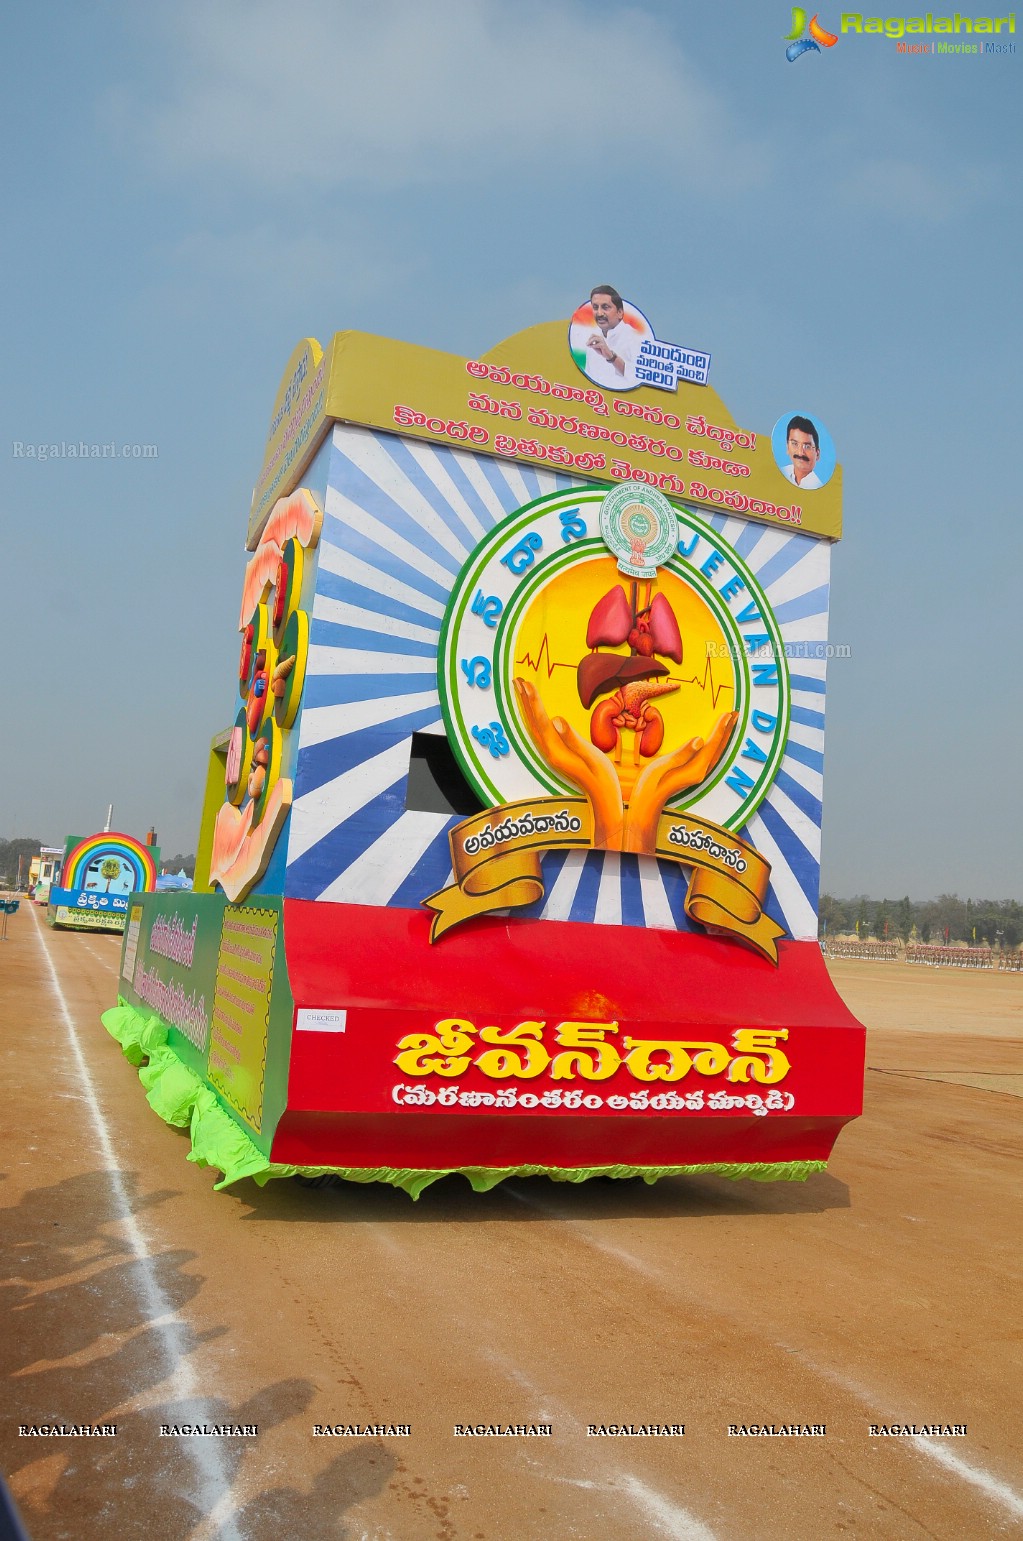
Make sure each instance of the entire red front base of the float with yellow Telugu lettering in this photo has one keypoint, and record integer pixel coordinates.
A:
(352, 1106)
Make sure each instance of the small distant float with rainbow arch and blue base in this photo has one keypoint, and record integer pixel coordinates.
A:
(98, 878)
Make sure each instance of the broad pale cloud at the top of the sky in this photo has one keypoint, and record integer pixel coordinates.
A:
(415, 95)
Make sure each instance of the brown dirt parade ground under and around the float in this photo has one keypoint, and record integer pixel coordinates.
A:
(880, 1295)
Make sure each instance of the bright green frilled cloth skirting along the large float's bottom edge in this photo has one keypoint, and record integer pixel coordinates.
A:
(186, 1101)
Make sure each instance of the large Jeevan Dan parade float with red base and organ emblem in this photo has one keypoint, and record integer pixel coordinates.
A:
(509, 853)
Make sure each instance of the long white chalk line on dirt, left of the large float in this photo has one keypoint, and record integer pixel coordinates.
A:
(215, 1486)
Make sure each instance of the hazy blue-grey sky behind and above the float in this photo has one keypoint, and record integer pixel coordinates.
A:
(193, 189)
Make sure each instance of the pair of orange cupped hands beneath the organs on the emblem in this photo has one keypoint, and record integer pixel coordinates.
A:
(619, 825)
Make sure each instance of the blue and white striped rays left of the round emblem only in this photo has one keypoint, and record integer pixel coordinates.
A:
(400, 522)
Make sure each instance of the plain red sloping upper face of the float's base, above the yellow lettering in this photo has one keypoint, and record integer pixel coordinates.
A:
(363, 956)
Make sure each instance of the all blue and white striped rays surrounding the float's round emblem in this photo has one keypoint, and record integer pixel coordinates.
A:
(401, 519)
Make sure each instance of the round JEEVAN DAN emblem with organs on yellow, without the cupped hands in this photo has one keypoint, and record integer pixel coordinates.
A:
(636, 668)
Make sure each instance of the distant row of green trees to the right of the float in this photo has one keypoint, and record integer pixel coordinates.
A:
(968, 922)
